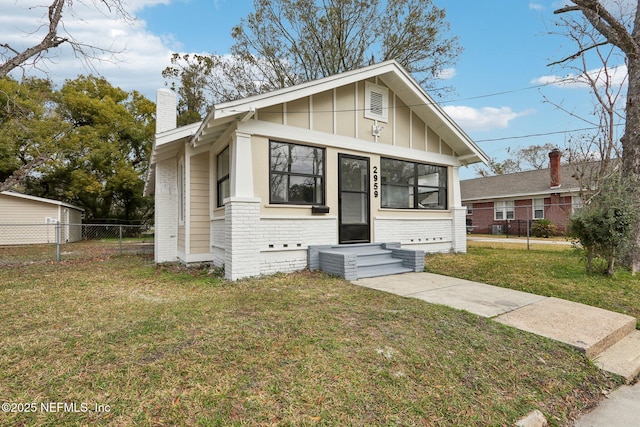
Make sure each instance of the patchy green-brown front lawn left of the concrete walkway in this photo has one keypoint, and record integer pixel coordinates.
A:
(169, 346)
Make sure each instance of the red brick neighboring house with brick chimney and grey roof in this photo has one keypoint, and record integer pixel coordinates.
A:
(509, 203)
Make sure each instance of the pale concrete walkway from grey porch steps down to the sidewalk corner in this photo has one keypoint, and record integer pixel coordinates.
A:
(608, 338)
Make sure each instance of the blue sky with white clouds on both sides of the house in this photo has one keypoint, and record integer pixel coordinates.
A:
(506, 43)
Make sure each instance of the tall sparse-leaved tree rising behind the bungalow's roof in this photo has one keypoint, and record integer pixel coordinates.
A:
(285, 42)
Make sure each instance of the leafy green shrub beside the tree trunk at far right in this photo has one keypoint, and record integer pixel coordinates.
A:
(605, 226)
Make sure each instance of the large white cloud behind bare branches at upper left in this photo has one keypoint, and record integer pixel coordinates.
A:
(137, 59)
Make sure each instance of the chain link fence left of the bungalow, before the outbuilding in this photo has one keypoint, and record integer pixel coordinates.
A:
(34, 243)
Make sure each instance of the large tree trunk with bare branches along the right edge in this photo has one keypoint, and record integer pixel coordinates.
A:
(620, 28)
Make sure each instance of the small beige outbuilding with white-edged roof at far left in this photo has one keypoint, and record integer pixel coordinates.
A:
(28, 219)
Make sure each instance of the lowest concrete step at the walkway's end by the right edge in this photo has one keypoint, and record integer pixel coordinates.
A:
(623, 357)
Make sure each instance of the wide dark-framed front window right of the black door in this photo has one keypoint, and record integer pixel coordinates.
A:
(408, 185)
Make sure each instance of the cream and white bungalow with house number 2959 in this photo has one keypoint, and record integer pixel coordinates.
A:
(360, 157)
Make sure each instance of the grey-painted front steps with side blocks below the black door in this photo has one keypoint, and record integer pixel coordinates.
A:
(357, 261)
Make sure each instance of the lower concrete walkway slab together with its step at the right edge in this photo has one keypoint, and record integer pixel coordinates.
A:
(609, 339)
